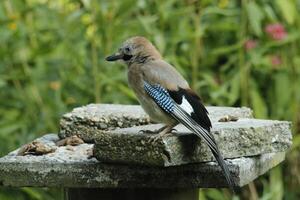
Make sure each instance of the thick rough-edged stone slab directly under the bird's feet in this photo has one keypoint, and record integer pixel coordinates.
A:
(246, 137)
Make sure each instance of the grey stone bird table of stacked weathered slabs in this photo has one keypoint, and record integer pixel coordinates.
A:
(118, 161)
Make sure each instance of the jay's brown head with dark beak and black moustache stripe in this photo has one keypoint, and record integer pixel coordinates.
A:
(135, 49)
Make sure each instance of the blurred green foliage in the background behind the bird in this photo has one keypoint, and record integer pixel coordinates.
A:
(52, 60)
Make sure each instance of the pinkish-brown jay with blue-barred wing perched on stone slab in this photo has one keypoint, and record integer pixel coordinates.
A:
(165, 95)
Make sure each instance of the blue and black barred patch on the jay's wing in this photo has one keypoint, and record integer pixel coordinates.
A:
(161, 96)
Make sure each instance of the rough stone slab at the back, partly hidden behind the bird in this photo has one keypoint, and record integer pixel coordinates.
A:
(87, 120)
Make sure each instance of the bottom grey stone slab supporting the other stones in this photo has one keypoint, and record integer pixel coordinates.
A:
(70, 167)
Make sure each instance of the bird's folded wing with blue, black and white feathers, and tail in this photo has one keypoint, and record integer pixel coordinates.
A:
(186, 108)
